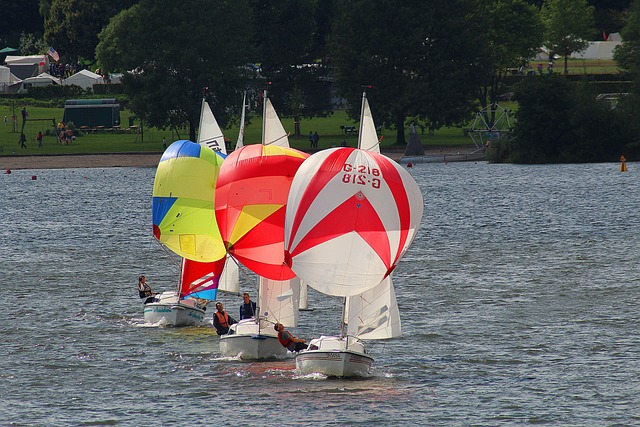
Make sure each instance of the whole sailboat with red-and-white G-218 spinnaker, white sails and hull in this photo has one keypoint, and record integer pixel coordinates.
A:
(352, 214)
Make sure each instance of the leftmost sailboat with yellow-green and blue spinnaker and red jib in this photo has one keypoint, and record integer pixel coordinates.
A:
(184, 222)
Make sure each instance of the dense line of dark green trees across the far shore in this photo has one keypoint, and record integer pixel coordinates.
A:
(428, 61)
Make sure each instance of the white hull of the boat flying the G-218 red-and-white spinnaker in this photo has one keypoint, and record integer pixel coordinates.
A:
(330, 356)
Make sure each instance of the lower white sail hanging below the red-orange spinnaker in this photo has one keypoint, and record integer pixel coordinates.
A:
(279, 300)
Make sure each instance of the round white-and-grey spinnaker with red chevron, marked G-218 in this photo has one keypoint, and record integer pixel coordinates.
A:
(351, 215)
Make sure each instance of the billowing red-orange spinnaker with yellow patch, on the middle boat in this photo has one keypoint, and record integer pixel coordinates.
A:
(250, 201)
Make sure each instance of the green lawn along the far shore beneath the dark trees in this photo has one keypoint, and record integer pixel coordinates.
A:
(109, 142)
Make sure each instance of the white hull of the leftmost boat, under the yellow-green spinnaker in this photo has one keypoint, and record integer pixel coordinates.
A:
(169, 311)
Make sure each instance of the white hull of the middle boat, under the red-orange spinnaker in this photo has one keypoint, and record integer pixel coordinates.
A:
(250, 342)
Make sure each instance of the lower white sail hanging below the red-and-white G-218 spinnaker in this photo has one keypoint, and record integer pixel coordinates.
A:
(374, 314)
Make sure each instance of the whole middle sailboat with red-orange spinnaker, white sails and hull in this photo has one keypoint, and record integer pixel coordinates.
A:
(250, 201)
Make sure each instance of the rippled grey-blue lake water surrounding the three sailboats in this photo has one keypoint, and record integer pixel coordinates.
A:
(519, 302)
